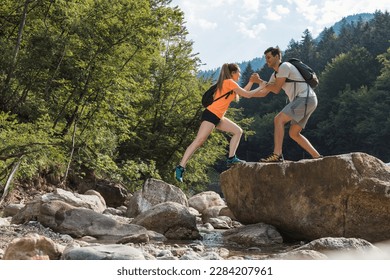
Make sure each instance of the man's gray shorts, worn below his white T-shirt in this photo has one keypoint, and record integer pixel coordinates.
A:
(296, 110)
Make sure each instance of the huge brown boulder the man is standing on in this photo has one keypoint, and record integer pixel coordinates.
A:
(337, 196)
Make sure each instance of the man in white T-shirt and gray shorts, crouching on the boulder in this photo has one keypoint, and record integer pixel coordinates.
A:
(303, 102)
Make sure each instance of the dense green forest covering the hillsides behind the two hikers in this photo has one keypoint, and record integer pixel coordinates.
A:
(110, 89)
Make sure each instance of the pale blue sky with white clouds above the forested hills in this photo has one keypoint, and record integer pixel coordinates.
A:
(240, 30)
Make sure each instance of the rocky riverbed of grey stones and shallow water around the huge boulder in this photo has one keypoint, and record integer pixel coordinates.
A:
(157, 222)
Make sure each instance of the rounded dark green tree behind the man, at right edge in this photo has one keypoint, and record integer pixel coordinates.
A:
(351, 104)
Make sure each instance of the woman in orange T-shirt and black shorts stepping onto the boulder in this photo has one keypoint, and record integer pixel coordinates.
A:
(214, 116)
